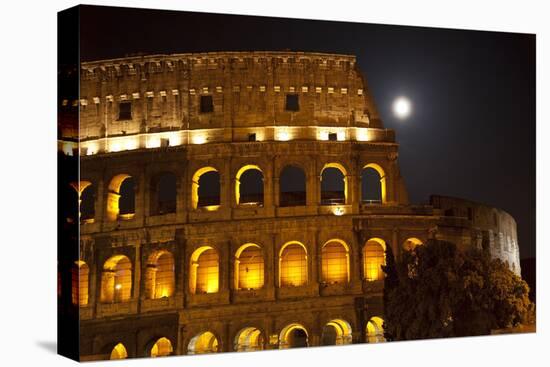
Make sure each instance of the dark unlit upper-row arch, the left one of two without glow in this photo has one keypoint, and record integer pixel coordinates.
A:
(164, 194)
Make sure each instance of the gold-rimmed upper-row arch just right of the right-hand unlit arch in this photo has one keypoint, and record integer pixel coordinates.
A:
(334, 184)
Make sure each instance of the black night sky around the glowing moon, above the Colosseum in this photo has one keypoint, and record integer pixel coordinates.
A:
(472, 130)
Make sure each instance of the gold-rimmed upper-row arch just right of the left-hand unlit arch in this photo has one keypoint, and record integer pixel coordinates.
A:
(205, 190)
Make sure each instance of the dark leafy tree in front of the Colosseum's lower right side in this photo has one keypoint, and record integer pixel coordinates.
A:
(441, 291)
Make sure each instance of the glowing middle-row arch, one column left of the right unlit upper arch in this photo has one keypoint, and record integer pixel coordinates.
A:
(249, 267)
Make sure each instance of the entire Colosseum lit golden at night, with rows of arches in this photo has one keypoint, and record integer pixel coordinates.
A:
(238, 201)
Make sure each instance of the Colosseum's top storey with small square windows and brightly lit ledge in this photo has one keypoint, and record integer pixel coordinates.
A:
(170, 100)
